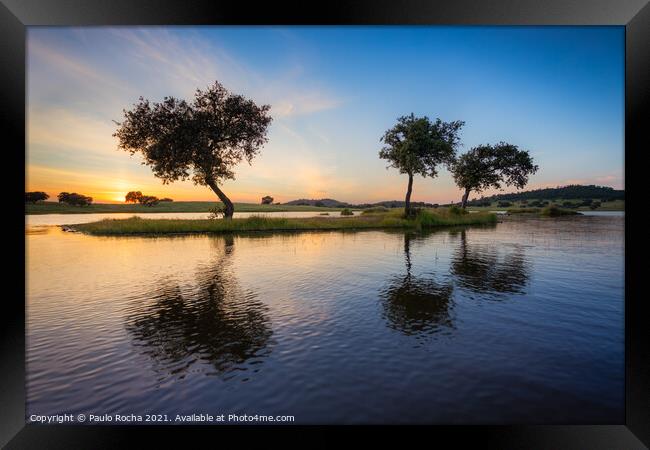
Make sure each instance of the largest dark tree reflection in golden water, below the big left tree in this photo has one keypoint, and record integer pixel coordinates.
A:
(215, 322)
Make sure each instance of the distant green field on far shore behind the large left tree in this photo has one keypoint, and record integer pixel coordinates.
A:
(163, 207)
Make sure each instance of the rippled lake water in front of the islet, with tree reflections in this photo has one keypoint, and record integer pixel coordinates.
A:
(518, 322)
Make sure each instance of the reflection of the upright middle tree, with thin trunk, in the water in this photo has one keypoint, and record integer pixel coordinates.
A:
(416, 305)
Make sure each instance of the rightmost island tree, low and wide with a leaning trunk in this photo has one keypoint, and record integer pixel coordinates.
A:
(490, 166)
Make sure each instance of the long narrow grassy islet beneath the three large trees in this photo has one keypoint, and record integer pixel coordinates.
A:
(391, 220)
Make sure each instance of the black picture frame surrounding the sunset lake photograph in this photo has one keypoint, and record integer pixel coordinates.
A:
(16, 15)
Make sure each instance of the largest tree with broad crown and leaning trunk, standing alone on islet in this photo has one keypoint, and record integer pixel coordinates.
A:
(203, 139)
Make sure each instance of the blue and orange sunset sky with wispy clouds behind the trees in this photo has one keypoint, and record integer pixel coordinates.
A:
(555, 91)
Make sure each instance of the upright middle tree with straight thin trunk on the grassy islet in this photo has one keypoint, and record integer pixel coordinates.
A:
(417, 146)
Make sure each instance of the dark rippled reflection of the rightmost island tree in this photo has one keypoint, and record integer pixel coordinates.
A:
(480, 268)
